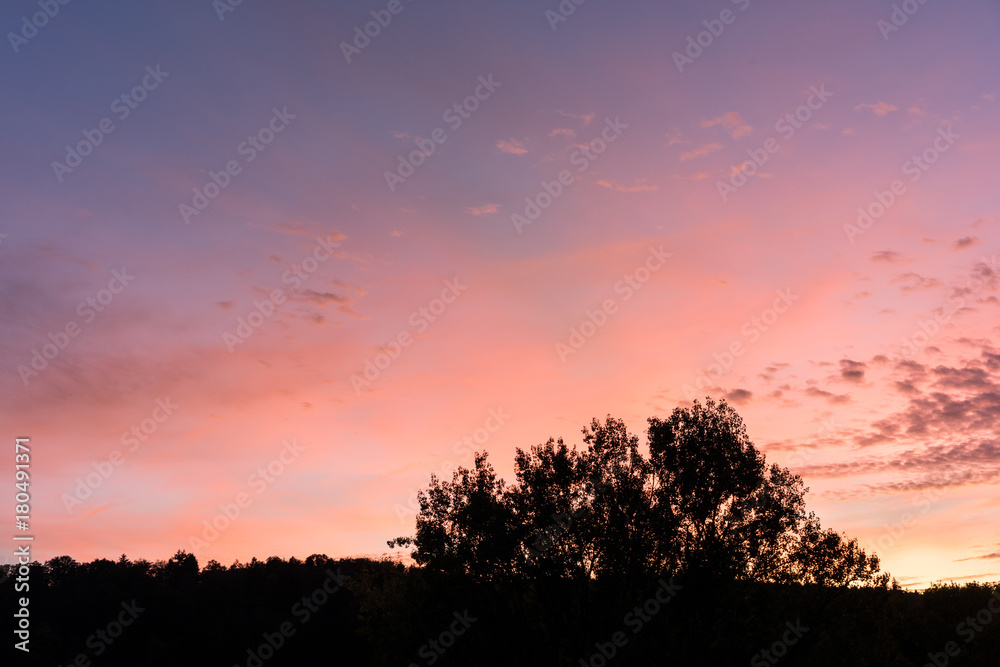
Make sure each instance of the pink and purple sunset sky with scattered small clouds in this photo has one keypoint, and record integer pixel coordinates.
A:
(262, 273)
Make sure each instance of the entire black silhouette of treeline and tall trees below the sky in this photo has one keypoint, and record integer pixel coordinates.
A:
(689, 551)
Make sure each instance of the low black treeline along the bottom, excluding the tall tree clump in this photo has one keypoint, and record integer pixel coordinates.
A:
(378, 612)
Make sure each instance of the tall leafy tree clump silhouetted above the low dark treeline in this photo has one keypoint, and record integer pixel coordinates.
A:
(701, 502)
